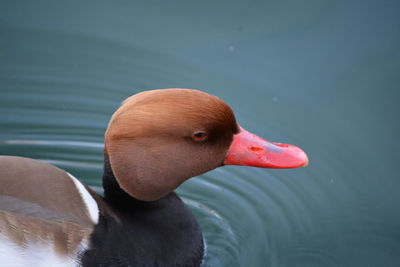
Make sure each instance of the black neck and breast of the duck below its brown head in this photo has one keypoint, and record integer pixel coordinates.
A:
(159, 233)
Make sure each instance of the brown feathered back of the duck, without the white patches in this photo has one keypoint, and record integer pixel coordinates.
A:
(39, 203)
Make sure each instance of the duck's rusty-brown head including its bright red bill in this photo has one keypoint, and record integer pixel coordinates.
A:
(158, 139)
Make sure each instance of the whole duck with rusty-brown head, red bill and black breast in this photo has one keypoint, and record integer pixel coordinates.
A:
(155, 141)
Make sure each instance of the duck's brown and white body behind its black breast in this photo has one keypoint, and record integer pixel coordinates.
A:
(46, 215)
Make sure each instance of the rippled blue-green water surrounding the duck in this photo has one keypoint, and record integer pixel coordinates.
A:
(318, 74)
